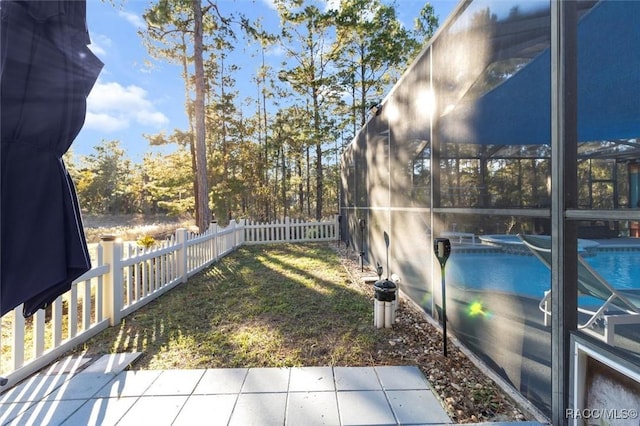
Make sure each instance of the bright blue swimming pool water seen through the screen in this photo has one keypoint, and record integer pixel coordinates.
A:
(526, 275)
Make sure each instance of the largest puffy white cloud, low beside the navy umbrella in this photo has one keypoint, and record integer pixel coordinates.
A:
(112, 107)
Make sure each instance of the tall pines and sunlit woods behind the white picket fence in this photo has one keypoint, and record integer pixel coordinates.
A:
(272, 155)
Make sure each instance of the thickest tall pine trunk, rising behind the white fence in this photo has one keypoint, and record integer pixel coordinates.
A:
(202, 208)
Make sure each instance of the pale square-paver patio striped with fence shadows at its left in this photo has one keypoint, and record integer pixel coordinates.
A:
(105, 393)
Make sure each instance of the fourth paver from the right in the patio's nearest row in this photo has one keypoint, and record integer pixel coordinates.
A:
(259, 409)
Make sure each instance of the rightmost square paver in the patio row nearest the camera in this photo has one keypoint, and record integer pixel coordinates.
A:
(417, 406)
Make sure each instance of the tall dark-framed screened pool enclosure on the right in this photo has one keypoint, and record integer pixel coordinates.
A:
(519, 117)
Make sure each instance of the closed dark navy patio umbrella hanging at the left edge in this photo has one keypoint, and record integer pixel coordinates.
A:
(46, 73)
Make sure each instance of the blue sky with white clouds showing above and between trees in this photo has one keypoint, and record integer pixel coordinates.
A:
(137, 95)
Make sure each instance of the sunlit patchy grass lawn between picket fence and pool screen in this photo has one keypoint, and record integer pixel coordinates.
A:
(261, 306)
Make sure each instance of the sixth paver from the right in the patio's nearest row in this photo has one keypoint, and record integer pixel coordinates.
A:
(154, 410)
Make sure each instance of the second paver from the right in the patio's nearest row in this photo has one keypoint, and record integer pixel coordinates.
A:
(364, 408)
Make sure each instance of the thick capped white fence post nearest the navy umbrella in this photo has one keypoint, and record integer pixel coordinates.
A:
(112, 284)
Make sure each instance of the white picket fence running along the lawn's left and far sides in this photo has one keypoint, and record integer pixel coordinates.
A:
(126, 277)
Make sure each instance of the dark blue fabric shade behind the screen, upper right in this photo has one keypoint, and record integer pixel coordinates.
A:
(518, 111)
